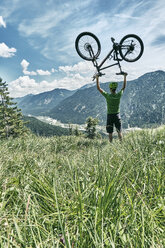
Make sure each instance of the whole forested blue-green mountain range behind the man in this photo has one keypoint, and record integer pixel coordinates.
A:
(142, 104)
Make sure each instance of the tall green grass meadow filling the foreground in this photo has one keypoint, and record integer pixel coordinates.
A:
(84, 193)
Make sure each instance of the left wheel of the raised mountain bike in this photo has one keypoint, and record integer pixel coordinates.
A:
(87, 46)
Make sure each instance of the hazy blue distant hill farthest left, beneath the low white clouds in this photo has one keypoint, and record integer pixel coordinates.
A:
(41, 103)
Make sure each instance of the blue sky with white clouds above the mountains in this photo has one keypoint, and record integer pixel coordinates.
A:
(37, 40)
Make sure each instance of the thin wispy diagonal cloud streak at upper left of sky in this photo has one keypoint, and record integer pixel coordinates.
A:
(51, 17)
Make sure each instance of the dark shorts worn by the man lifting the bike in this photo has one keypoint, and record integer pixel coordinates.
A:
(113, 120)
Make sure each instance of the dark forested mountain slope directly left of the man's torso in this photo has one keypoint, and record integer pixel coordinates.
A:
(76, 108)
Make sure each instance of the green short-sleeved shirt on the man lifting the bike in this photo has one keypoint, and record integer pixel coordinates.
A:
(113, 102)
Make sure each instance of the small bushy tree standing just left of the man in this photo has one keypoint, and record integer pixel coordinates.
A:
(91, 127)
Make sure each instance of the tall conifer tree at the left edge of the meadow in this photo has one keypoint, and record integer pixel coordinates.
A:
(11, 123)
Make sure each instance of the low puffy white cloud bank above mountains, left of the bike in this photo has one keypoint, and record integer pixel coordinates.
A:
(74, 79)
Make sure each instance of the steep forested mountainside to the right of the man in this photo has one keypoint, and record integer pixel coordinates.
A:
(144, 101)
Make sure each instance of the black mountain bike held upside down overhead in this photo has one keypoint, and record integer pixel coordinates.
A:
(130, 49)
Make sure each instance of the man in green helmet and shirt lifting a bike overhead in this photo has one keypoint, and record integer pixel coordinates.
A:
(113, 106)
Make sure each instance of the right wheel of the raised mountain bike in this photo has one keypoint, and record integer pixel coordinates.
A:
(131, 48)
